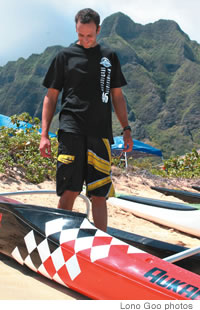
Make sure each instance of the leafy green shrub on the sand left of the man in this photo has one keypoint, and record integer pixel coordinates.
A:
(19, 151)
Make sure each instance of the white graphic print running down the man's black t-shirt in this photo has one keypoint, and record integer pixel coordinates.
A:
(105, 78)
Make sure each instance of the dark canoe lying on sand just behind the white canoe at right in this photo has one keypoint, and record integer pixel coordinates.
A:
(186, 196)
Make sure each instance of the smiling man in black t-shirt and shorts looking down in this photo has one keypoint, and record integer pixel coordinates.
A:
(89, 77)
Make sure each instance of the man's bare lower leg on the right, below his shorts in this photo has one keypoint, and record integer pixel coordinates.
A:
(99, 212)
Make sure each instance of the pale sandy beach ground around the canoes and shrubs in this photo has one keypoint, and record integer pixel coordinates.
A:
(20, 283)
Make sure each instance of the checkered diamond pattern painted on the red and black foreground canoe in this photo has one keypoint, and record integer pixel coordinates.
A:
(62, 264)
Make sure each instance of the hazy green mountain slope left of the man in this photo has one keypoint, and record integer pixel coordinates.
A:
(21, 83)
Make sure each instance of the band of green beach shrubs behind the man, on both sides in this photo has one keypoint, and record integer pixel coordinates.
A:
(19, 153)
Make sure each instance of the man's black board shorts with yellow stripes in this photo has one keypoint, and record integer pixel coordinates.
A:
(82, 159)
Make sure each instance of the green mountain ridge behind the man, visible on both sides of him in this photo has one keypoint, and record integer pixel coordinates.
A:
(162, 68)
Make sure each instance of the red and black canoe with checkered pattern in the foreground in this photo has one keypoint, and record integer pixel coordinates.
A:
(65, 247)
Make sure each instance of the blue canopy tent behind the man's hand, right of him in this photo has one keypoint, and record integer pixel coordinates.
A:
(140, 149)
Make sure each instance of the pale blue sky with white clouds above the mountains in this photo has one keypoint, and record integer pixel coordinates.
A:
(29, 26)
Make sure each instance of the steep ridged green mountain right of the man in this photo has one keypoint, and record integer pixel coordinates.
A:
(162, 67)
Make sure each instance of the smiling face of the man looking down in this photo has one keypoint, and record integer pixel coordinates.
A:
(87, 34)
